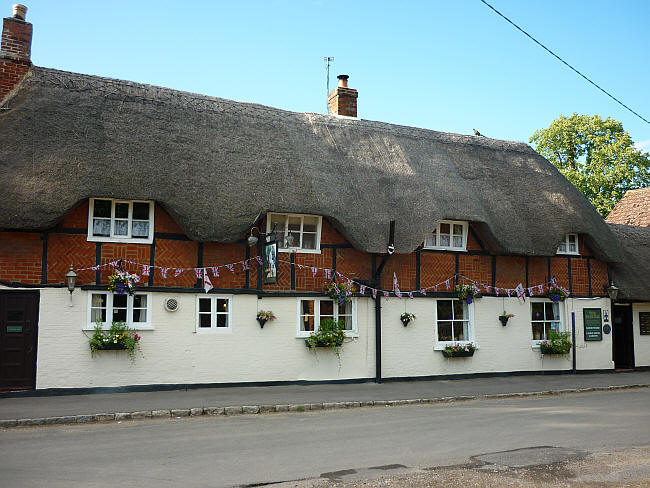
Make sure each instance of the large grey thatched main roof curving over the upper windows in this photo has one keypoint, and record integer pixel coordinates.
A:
(215, 164)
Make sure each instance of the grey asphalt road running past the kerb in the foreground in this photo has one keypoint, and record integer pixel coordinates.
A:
(339, 444)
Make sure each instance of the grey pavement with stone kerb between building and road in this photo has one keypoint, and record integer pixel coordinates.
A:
(72, 405)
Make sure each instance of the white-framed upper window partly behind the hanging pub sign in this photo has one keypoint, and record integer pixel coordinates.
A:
(295, 231)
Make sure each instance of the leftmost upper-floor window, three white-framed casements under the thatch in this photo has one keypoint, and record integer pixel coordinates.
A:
(120, 220)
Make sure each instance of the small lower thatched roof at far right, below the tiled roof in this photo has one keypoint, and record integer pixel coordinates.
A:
(632, 276)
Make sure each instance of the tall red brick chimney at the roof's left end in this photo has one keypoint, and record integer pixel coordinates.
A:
(15, 50)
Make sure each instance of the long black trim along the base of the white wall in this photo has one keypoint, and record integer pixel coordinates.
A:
(194, 386)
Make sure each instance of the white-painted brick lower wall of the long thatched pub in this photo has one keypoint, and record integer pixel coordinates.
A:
(173, 353)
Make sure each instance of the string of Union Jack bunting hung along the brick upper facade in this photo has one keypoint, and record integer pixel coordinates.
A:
(204, 272)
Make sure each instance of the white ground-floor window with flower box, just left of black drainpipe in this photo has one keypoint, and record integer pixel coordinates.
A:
(311, 311)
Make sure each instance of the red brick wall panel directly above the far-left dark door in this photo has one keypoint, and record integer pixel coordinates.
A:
(20, 257)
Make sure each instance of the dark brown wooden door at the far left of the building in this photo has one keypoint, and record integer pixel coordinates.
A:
(18, 339)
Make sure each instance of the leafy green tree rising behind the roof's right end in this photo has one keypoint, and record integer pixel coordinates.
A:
(596, 155)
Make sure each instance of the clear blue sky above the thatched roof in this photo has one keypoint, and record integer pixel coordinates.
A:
(443, 65)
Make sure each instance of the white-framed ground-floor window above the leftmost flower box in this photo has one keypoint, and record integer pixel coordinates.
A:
(107, 308)
